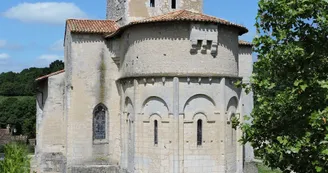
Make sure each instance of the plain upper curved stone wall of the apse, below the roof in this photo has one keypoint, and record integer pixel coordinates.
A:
(167, 50)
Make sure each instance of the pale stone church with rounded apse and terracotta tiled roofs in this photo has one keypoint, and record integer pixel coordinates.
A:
(150, 89)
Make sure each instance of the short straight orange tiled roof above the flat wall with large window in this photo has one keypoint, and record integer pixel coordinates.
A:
(91, 26)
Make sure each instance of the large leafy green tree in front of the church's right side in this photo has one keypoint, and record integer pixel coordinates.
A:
(289, 128)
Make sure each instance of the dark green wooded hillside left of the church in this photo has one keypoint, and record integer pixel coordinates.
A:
(17, 98)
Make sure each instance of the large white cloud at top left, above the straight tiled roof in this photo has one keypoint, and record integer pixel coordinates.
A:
(45, 12)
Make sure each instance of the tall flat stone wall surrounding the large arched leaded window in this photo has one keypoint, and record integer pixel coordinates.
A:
(92, 77)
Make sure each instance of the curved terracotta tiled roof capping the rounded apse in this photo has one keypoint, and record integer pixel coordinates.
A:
(184, 15)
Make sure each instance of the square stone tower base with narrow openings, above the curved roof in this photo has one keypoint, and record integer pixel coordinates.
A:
(126, 11)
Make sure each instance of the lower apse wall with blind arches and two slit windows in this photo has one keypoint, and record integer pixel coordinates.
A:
(177, 104)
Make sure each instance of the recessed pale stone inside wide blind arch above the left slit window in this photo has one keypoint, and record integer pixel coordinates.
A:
(155, 106)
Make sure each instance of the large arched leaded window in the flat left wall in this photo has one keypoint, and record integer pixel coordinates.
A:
(99, 122)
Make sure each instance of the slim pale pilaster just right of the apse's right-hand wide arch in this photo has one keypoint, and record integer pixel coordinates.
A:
(222, 126)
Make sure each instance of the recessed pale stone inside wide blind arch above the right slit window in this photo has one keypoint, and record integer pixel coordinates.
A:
(199, 103)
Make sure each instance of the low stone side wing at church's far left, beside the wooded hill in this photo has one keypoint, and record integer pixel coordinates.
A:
(51, 129)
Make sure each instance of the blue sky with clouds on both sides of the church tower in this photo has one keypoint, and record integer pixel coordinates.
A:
(32, 31)
